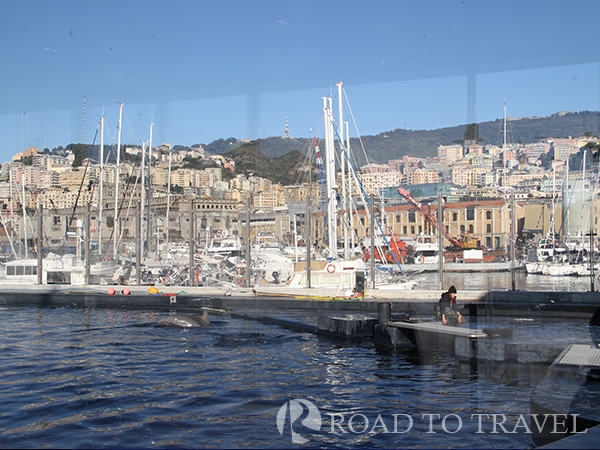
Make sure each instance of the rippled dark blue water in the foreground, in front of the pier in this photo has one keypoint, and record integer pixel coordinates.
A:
(100, 378)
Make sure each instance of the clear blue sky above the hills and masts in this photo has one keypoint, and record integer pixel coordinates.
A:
(203, 70)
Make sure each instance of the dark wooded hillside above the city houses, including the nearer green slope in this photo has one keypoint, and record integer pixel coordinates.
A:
(283, 160)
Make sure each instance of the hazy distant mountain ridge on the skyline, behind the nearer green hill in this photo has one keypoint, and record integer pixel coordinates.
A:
(424, 143)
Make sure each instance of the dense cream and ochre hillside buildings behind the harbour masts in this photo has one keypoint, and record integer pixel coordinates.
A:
(534, 172)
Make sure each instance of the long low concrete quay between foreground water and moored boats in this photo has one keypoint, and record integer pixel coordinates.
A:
(415, 303)
